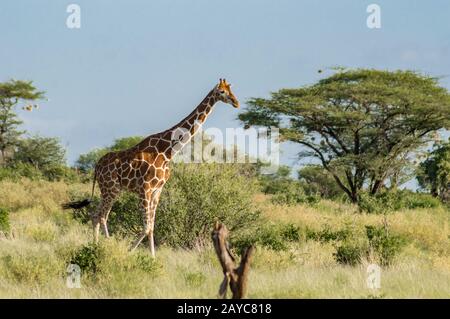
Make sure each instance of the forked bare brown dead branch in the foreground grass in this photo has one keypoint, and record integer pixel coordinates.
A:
(235, 277)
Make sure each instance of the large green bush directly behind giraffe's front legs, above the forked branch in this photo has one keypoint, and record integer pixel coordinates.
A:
(196, 196)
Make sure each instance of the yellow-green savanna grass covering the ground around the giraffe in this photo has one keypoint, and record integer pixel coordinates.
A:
(41, 241)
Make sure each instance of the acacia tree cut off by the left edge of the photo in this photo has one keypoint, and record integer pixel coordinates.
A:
(11, 94)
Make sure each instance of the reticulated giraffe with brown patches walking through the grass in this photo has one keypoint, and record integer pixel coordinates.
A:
(144, 168)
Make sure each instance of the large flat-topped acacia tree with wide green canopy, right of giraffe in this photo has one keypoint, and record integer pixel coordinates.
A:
(361, 125)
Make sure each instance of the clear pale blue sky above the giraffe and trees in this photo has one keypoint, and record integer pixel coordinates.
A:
(138, 67)
